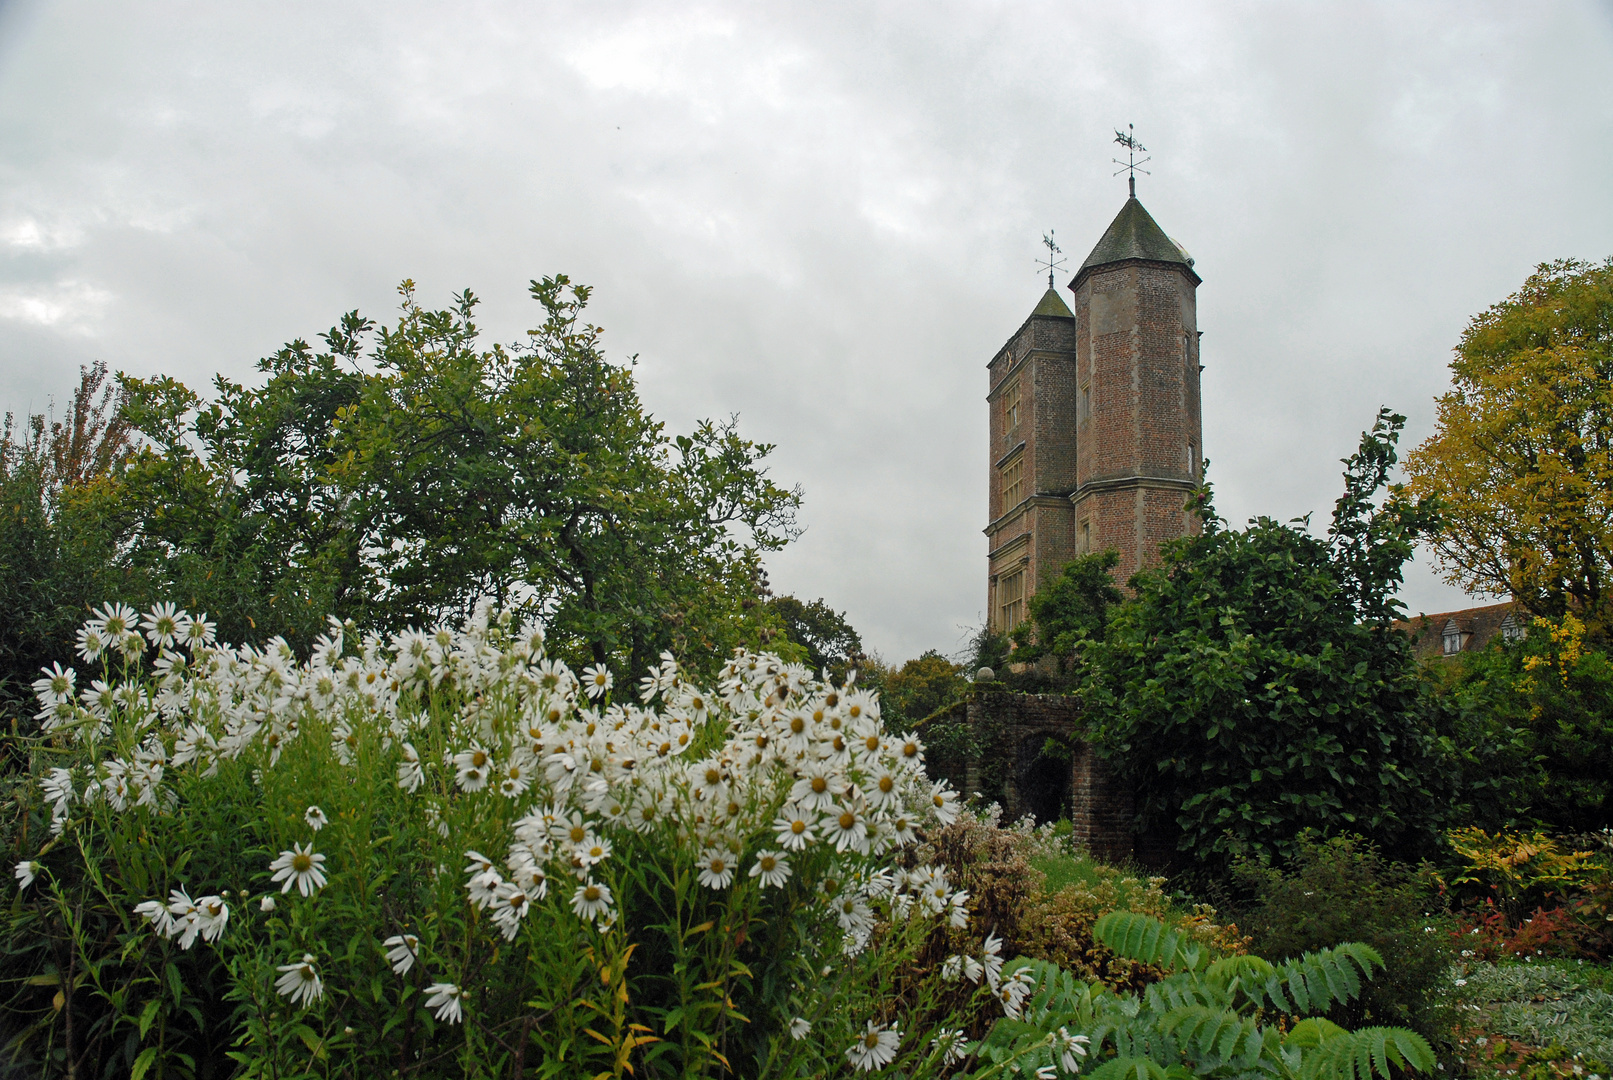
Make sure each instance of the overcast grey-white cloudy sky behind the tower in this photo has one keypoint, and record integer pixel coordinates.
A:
(819, 217)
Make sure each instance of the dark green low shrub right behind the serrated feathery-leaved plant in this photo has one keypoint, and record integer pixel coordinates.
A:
(1344, 891)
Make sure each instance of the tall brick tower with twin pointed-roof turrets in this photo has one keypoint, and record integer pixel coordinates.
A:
(1096, 423)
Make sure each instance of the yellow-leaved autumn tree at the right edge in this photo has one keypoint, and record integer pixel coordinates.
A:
(1523, 455)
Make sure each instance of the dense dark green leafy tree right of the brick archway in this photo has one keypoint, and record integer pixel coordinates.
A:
(1254, 687)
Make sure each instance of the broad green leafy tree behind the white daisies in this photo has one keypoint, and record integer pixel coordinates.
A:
(404, 473)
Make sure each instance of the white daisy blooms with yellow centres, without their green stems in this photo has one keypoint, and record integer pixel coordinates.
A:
(793, 770)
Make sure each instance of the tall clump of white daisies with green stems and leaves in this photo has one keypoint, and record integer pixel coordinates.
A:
(449, 855)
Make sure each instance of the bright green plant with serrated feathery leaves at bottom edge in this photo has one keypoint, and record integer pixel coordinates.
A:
(1207, 1018)
